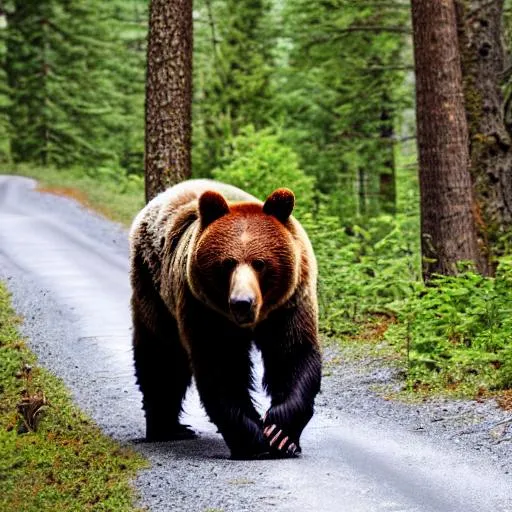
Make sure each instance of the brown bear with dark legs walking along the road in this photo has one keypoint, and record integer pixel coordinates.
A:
(214, 271)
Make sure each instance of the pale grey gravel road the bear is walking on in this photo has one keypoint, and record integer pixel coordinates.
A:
(67, 270)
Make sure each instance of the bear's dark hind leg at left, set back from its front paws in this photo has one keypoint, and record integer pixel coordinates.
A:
(163, 374)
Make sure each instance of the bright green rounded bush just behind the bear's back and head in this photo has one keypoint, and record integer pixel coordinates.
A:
(257, 162)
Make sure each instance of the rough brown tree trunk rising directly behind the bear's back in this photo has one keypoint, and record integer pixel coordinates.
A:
(168, 95)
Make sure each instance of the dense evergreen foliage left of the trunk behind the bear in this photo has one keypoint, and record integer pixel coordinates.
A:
(76, 93)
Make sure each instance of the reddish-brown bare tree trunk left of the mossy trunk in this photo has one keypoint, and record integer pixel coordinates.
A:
(447, 222)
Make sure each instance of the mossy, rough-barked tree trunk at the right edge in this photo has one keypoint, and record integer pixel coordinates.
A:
(481, 34)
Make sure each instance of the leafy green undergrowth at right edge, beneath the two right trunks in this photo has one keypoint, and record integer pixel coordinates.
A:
(458, 331)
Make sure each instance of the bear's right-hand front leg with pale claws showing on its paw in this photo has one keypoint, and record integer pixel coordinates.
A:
(292, 361)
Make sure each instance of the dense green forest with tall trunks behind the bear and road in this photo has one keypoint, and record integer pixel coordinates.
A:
(403, 175)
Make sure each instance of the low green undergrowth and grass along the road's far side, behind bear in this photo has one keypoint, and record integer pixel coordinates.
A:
(450, 336)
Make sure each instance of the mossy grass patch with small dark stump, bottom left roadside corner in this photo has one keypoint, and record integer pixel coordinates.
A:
(66, 463)
